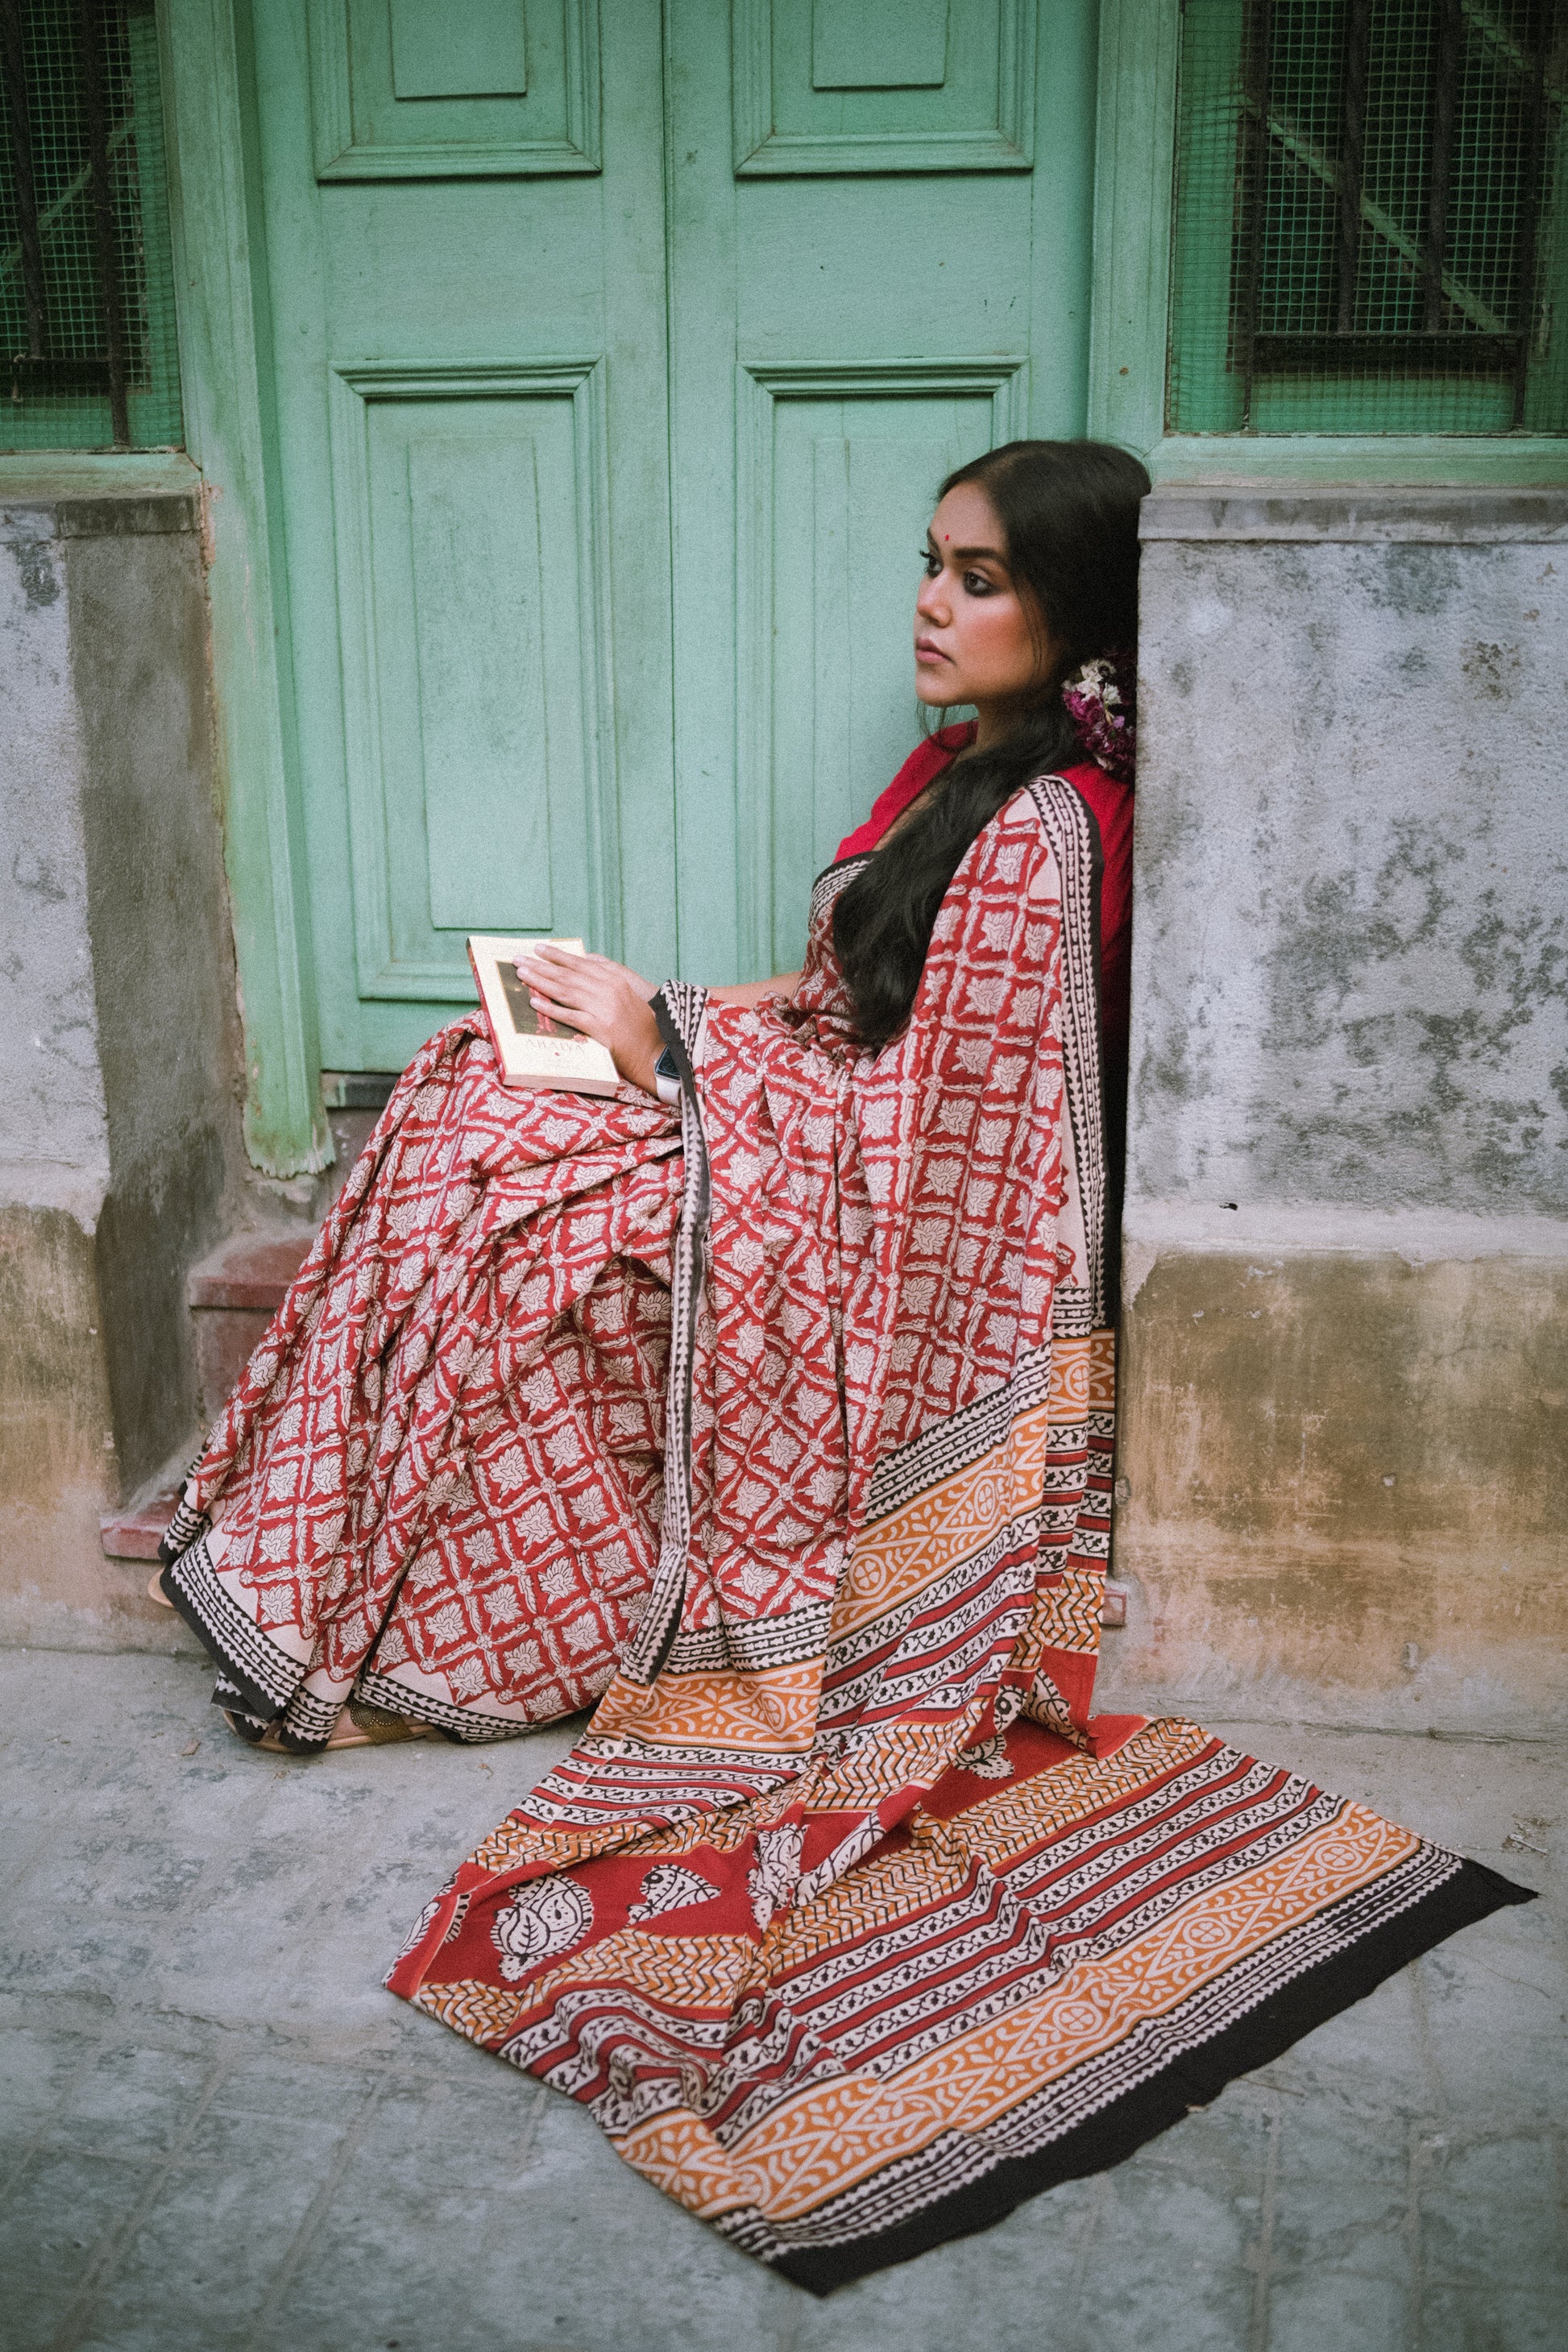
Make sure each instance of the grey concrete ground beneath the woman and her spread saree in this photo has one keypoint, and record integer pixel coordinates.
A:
(220, 2132)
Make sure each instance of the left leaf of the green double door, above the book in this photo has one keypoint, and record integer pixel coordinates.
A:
(474, 448)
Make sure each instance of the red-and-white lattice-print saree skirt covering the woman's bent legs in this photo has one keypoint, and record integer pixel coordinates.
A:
(438, 1483)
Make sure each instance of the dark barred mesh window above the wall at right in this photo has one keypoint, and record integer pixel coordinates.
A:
(1372, 218)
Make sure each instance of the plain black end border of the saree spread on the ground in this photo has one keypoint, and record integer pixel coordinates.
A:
(1195, 2080)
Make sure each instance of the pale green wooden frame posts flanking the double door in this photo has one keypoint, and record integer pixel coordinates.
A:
(232, 432)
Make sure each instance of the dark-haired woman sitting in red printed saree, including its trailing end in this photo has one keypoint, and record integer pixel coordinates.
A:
(847, 1918)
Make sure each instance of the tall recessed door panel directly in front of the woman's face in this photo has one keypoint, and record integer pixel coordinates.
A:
(838, 476)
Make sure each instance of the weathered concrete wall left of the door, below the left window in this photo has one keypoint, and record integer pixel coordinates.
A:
(119, 1038)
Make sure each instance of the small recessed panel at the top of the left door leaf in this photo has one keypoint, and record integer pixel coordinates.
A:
(427, 91)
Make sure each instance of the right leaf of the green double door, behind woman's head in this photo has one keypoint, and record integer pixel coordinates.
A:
(880, 258)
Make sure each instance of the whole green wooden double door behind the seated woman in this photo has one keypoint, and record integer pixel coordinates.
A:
(617, 356)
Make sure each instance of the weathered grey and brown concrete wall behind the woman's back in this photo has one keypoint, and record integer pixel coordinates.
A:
(1346, 1342)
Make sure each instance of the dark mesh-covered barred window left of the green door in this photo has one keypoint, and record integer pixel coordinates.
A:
(88, 354)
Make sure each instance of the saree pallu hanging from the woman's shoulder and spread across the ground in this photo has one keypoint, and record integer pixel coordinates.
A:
(847, 1918)
